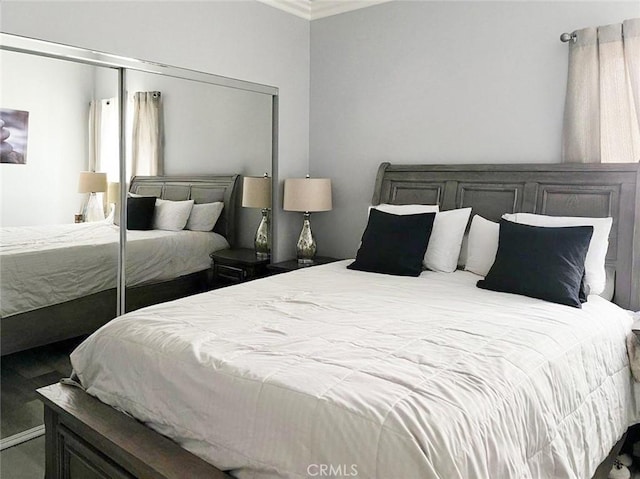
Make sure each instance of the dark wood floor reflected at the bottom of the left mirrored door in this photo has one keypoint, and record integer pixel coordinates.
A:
(20, 375)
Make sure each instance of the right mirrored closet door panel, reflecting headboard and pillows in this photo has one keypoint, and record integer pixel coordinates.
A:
(185, 132)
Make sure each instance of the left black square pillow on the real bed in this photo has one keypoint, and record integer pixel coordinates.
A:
(394, 244)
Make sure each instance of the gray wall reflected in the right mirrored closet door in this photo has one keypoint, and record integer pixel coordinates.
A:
(212, 129)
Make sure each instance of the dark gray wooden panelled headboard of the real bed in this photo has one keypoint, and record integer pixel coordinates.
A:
(595, 190)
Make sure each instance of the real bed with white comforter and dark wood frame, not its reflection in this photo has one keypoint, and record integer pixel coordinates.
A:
(411, 377)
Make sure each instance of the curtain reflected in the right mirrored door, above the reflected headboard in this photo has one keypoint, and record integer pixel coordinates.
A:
(147, 136)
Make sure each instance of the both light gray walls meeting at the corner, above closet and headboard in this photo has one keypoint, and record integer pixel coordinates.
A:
(434, 82)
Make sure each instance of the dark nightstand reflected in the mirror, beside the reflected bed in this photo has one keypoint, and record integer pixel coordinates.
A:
(237, 266)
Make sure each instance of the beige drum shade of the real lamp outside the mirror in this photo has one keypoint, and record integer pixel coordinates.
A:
(307, 194)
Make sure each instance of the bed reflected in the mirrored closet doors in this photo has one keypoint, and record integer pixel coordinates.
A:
(58, 281)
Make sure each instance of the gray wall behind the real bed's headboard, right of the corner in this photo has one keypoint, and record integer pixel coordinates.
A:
(436, 82)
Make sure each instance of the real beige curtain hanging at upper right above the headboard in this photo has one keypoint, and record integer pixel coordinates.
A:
(602, 108)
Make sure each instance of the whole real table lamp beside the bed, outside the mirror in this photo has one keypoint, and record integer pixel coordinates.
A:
(307, 195)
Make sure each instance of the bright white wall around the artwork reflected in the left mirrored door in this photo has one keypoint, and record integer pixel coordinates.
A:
(44, 191)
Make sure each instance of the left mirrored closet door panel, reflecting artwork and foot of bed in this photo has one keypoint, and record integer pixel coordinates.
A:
(55, 246)
